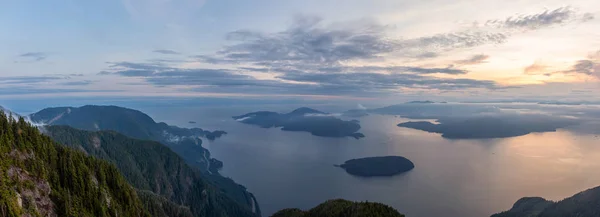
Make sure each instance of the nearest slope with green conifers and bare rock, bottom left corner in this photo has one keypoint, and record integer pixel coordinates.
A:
(39, 177)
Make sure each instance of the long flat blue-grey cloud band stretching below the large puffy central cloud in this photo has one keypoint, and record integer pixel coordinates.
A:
(298, 82)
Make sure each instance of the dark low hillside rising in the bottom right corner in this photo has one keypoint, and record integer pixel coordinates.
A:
(586, 203)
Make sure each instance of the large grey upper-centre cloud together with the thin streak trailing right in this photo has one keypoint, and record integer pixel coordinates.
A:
(308, 41)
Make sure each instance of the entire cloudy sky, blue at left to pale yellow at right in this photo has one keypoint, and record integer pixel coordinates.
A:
(322, 49)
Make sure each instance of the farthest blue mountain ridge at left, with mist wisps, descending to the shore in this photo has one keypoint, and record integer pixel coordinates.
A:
(132, 123)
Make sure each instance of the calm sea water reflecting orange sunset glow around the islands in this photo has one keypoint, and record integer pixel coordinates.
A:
(451, 178)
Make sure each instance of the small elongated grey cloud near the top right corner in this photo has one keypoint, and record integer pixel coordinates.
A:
(544, 19)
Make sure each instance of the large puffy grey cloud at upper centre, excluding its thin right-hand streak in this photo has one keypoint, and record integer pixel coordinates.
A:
(307, 40)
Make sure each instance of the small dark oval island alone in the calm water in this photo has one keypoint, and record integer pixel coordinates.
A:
(377, 166)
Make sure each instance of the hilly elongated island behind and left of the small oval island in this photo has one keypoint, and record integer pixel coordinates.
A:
(316, 122)
